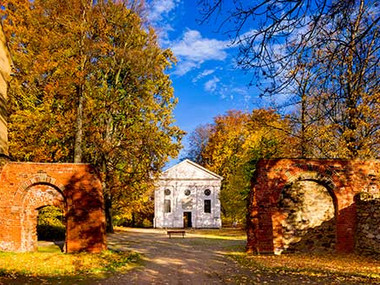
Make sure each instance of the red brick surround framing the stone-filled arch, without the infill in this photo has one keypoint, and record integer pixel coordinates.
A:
(342, 178)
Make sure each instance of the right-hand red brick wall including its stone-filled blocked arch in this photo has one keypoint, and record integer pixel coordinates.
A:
(272, 220)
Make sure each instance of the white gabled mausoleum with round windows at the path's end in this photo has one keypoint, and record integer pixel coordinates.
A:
(187, 195)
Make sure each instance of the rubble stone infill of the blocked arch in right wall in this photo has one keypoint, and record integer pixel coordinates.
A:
(308, 209)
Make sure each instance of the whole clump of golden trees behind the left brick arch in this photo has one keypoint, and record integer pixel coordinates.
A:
(90, 86)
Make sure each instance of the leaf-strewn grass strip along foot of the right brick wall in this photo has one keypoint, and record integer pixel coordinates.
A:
(312, 264)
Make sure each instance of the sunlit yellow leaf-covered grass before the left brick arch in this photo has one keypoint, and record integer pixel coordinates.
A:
(49, 262)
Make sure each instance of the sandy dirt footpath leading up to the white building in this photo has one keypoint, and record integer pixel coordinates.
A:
(189, 260)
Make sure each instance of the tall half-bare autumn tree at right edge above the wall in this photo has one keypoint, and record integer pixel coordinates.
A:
(347, 76)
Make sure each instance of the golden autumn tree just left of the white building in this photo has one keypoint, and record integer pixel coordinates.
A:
(133, 135)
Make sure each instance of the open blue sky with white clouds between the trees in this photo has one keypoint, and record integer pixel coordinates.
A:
(205, 79)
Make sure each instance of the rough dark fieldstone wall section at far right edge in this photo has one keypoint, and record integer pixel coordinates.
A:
(368, 223)
